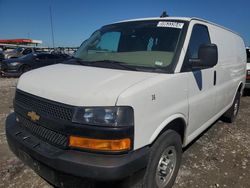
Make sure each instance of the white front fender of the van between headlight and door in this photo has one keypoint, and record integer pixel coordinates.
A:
(156, 101)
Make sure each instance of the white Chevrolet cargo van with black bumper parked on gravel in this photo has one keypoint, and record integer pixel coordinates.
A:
(134, 94)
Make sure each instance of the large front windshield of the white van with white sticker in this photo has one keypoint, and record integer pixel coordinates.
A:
(144, 44)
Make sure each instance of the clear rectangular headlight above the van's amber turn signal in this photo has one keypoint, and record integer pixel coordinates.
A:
(105, 116)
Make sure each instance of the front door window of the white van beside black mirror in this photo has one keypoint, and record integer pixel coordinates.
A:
(199, 36)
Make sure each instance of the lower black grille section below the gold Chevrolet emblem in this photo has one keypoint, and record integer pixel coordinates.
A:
(48, 135)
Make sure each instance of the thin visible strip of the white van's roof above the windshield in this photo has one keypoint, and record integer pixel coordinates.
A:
(178, 18)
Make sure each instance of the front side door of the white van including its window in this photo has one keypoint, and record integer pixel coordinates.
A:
(201, 83)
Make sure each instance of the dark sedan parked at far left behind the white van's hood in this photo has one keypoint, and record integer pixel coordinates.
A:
(17, 66)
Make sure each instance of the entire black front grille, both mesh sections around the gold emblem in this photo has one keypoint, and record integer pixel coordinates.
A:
(52, 116)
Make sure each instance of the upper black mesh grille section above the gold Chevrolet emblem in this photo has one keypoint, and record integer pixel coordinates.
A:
(43, 106)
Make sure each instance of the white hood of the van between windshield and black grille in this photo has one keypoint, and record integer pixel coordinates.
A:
(80, 85)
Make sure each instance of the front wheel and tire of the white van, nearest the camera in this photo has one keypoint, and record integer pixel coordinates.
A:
(164, 161)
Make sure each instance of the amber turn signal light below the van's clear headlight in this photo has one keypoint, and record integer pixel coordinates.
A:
(100, 144)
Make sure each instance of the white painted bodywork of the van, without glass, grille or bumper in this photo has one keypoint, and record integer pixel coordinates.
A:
(176, 95)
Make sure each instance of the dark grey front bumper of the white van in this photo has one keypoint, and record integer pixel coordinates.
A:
(54, 164)
